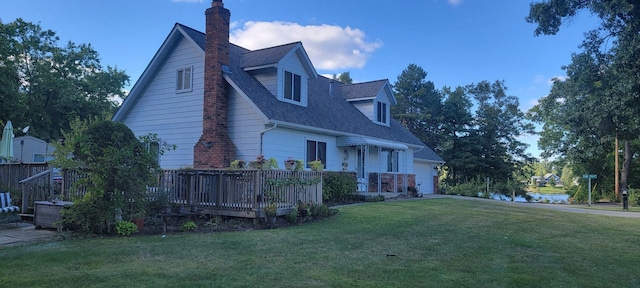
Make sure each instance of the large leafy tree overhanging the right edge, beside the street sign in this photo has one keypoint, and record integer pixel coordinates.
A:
(600, 100)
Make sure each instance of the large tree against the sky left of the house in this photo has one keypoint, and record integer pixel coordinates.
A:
(46, 85)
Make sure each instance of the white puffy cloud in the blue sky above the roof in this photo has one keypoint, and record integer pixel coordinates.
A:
(330, 47)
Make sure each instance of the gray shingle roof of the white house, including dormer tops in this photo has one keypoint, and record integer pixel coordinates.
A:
(324, 110)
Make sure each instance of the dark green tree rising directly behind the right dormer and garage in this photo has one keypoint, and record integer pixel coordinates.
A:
(419, 106)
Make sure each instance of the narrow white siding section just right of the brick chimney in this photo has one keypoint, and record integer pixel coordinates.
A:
(245, 126)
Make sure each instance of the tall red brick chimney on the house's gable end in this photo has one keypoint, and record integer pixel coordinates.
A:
(215, 149)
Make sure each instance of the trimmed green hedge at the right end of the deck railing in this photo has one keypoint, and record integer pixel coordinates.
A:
(339, 187)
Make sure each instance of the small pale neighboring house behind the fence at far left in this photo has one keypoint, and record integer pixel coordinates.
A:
(29, 149)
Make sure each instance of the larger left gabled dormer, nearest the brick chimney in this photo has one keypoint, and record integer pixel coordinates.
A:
(284, 70)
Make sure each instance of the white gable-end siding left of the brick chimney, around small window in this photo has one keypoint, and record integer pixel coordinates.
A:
(175, 117)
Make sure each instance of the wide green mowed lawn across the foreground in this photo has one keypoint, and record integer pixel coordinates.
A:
(423, 243)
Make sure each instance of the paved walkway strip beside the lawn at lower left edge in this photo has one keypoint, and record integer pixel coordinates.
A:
(11, 234)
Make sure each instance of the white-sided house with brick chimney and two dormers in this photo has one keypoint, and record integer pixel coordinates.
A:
(217, 102)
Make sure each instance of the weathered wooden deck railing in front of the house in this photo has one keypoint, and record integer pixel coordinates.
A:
(239, 193)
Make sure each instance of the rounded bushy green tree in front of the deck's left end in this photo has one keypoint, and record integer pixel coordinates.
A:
(118, 169)
